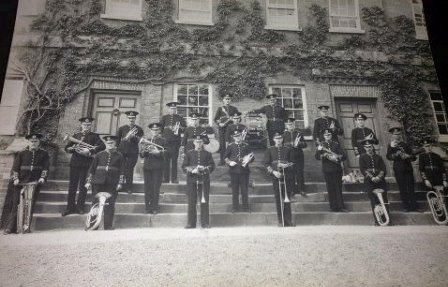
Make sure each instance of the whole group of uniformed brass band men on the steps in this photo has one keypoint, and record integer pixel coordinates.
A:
(106, 165)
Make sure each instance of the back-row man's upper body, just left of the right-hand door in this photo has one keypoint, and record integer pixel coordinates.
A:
(326, 123)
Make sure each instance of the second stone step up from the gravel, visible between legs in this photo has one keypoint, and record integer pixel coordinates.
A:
(139, 207)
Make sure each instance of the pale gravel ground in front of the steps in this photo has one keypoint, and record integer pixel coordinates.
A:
(258, 256)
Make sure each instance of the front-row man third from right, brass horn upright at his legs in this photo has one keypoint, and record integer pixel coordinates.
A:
(373, 169)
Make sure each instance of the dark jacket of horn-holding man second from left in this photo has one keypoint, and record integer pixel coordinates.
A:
(90, 138)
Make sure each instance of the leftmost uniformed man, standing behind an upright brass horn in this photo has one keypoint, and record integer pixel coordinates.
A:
(30, 165)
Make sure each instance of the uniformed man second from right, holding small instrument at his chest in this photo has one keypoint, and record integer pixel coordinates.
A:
(401, 154)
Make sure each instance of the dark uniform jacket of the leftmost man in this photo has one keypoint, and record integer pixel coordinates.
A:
(31, 165)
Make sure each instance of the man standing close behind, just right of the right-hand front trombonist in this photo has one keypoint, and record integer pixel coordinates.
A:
(294, 139)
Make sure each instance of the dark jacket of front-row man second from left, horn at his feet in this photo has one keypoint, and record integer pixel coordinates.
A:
(107, 168)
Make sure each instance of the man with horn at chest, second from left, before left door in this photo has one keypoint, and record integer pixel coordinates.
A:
(82, 156)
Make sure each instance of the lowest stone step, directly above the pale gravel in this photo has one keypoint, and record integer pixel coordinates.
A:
(43, 222)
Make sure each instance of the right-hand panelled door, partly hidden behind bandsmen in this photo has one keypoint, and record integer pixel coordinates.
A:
(346, 109)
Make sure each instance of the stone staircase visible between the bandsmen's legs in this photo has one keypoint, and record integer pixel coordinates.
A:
(310, 210)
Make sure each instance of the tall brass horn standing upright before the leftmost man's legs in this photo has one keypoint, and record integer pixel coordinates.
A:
(25, 206)
